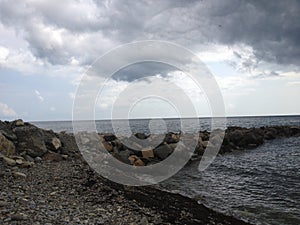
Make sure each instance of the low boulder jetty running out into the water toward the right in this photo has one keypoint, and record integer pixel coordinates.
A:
(139, 150)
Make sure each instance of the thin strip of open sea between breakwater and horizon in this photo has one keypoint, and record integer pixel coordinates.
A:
(142, 125)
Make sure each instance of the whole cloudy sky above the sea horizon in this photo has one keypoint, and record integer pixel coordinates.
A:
(252, 49)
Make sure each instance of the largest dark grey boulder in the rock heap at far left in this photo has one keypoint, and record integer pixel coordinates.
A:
(31, 140)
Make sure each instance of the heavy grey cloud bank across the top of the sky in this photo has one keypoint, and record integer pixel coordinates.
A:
(271, 28)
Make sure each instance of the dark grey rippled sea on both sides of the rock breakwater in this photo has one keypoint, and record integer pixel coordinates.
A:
(261, 185)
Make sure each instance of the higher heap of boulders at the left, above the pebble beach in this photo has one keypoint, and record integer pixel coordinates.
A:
(23, 144)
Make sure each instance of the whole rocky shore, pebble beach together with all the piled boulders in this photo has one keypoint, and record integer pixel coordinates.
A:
(44, 179)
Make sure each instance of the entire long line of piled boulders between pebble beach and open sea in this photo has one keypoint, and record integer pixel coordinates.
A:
(23, 144)
